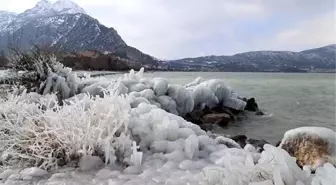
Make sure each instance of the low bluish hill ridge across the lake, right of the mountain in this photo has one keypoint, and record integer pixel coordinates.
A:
(321, 59)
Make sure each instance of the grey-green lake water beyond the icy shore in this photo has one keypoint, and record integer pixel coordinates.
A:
(289, 100)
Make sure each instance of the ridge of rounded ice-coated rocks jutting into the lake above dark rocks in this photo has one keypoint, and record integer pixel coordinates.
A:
(174, 98)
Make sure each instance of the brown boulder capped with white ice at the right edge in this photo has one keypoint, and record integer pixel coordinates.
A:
(311, 146)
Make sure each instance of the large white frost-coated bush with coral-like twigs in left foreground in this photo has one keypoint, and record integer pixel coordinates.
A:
(58, 135)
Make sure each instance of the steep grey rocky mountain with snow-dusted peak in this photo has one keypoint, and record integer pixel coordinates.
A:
(63, 26)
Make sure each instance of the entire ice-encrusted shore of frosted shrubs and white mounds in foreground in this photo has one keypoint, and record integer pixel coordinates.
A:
(134, 126)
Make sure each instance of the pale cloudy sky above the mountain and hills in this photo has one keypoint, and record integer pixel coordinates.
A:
(173, 29)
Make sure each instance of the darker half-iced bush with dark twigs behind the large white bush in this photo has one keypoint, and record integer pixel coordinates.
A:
(41, 72)
